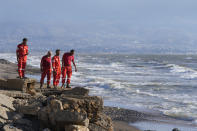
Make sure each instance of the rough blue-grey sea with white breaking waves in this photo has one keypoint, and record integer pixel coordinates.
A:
(161, 83)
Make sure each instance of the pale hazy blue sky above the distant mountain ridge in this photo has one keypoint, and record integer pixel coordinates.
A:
(139, 11)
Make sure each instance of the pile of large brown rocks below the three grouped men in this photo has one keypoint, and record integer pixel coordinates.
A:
(69, 110)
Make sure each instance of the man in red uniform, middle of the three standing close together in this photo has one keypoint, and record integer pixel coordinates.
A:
(56, 68)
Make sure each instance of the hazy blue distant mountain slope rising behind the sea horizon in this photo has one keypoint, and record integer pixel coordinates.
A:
(97, 37)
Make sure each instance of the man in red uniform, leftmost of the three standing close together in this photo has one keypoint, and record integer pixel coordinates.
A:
(45, 67)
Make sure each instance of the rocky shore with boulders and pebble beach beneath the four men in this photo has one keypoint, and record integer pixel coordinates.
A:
(24, 107)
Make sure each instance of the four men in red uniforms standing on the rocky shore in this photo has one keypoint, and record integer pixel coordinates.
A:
(48, 65)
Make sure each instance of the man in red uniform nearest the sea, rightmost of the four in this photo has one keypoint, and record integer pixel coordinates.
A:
(67, 60)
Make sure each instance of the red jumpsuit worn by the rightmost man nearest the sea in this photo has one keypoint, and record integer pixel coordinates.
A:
(67, 68)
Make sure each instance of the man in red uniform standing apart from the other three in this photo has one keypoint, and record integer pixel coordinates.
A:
(21, 54)
